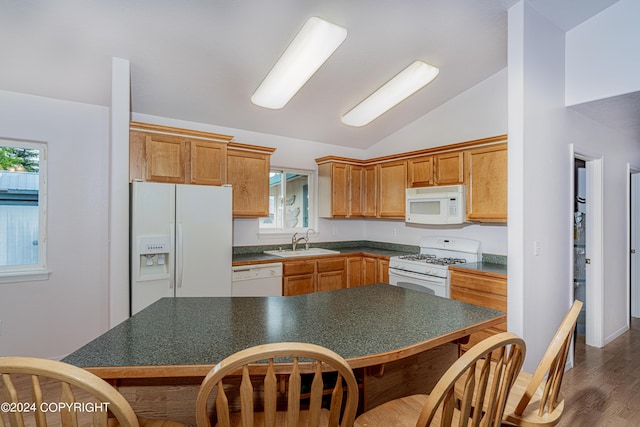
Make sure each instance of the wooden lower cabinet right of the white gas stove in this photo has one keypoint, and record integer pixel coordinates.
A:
(480, 288)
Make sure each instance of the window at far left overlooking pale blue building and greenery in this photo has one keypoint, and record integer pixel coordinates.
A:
(22, 210)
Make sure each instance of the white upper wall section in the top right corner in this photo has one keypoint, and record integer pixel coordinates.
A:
(602, 54)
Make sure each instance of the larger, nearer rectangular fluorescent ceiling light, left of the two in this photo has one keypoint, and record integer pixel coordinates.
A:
(312, 46)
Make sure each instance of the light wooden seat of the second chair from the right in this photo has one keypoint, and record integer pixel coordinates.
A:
(397, 413)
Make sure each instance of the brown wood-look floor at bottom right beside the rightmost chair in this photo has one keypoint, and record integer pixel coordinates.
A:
(603, 389)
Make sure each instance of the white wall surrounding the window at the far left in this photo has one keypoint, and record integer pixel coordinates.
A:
(54, 317)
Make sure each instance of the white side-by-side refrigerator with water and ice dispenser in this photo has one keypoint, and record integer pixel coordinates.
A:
(180, 242)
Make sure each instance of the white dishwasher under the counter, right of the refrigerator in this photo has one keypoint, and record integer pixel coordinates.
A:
(257, 280)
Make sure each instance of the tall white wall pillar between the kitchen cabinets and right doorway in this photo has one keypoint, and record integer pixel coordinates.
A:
(539, 174)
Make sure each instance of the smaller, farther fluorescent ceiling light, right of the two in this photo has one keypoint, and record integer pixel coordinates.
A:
(404, 84)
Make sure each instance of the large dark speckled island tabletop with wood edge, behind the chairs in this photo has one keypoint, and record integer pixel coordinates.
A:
(367, 325)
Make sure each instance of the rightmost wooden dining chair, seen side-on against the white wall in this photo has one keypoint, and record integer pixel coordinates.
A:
(535, 399)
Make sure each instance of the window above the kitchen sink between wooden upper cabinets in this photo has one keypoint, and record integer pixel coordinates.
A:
(290, 196)
